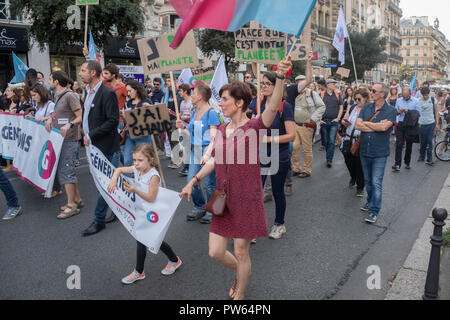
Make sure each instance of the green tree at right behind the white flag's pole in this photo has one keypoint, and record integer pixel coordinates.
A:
(368, 50)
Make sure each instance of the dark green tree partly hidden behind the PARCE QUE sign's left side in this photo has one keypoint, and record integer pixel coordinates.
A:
(220, 42)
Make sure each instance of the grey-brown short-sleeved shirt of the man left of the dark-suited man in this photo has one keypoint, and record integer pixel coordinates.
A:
(65, 106)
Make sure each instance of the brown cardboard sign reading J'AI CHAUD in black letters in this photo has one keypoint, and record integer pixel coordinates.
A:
(145, 121)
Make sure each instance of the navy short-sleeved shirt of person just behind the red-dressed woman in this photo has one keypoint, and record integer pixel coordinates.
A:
(278, 124)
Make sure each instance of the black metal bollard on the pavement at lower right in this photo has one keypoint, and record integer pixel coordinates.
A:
(432, 283)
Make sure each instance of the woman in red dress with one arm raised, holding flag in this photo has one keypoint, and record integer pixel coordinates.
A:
(235, 159)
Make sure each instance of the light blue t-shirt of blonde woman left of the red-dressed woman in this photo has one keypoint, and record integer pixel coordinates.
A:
(200, 130)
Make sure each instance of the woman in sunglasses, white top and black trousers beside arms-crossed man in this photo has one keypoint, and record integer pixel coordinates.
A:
(354, 163)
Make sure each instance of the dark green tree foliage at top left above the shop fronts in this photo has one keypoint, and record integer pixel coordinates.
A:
(49, 20)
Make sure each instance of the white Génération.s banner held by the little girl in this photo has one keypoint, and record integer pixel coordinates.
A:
(147, 222)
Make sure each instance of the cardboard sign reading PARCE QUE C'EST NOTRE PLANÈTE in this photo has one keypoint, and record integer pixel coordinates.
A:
(260, 45)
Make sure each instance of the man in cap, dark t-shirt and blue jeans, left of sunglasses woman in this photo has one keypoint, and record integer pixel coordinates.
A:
(334, 108)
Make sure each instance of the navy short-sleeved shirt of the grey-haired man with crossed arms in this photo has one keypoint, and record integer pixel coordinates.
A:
(376, 144)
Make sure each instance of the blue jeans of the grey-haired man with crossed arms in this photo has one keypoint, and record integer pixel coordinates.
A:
(373, 169)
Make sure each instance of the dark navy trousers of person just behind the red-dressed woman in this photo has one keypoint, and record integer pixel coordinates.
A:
(278, 181)
